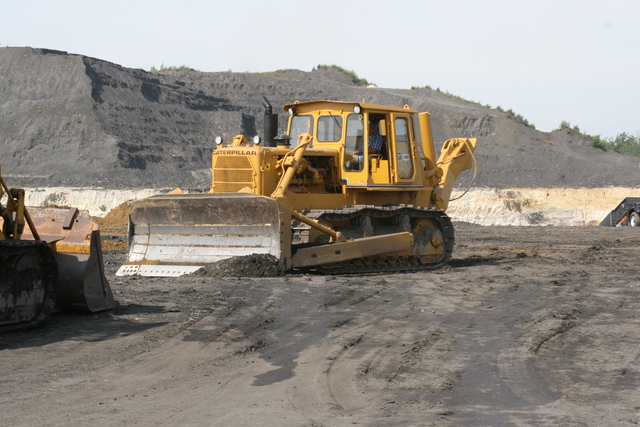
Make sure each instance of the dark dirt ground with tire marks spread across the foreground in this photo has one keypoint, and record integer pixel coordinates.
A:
(526, 326)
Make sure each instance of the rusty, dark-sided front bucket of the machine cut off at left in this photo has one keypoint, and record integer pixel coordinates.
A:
(82, 285)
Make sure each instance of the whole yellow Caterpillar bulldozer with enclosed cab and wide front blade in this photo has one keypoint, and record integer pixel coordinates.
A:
(315, 198)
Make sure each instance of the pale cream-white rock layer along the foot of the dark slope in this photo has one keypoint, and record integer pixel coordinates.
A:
(519, 206)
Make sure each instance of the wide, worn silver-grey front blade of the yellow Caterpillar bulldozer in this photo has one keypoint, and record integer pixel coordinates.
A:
(175, 234)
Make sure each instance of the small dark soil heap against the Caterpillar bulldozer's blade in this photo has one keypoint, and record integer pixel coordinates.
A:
(243, 266)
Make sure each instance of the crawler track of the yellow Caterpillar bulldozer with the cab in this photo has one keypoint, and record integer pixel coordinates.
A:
(379, 264)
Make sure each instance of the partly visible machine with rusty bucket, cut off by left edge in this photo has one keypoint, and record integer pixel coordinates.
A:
(50, 259)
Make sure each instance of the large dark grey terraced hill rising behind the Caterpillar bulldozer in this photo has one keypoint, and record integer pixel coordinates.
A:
(79, 121)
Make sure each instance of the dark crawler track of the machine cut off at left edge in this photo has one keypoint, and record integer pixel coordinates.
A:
(16, 282)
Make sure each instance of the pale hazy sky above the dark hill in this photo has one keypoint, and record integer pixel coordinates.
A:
(548, 60)
